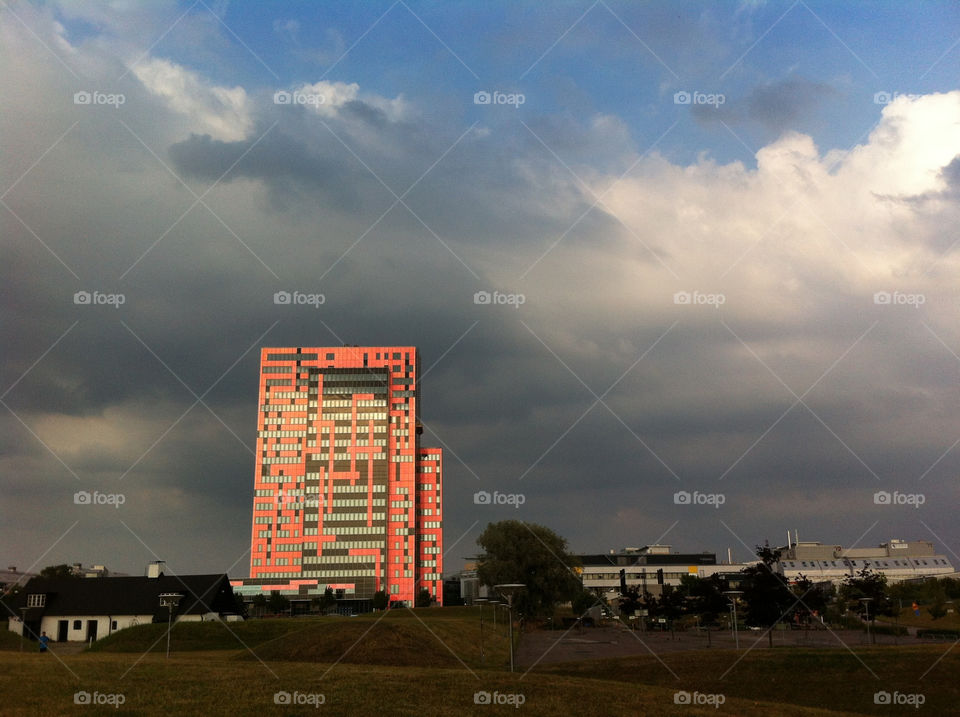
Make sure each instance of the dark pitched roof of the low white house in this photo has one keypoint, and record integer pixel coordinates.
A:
(127, 595)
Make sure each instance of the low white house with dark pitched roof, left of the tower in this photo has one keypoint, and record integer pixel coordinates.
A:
(78, 609)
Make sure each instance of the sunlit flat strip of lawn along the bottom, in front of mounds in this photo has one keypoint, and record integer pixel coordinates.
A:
(211, 684)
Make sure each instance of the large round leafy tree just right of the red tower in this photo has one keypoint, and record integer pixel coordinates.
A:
(518, 552)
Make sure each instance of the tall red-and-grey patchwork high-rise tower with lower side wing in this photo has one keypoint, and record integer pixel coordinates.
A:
(344, 496)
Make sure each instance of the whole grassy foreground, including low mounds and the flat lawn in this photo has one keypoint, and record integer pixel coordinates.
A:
(427, 662)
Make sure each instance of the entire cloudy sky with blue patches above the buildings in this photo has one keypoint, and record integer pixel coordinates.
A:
(679, 273)
